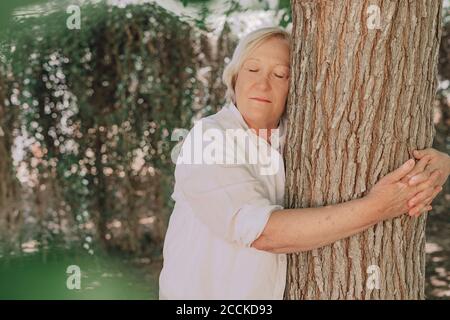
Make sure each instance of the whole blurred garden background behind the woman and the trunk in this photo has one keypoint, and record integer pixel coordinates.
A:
(94, 96)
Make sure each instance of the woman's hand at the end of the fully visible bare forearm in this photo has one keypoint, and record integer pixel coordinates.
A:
(392, 192)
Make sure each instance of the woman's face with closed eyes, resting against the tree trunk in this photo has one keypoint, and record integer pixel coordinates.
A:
(262, 84)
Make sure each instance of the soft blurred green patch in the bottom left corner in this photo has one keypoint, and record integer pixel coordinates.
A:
(43, 276)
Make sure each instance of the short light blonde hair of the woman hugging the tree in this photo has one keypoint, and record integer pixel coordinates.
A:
(243, 49)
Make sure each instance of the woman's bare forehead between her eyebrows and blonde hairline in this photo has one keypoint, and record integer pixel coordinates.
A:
(272, 50)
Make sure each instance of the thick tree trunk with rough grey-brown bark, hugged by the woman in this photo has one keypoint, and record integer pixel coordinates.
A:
(360, 102)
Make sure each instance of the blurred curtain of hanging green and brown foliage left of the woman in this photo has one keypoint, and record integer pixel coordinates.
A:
(98, 106)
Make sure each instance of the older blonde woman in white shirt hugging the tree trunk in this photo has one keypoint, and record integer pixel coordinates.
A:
(229, 233)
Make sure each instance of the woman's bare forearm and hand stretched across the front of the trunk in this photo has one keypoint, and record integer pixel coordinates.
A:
(294, 230)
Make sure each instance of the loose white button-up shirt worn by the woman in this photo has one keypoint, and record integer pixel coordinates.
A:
(220, 209)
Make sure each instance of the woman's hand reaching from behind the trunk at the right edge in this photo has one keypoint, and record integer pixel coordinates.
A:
(437, 161)
